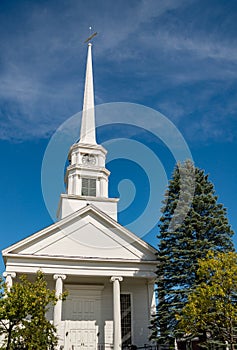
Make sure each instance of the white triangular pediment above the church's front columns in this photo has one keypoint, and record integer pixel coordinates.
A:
(88, 233)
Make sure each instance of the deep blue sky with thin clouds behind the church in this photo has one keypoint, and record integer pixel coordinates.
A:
(178, 57)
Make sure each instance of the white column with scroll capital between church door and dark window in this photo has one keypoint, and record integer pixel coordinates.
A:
(117, 312)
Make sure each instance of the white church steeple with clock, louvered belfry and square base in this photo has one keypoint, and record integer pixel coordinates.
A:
(86, 177)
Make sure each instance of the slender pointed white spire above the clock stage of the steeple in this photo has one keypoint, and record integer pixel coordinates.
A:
(87, 135)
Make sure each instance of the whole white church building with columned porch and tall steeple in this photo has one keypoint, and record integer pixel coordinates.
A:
(107, 270)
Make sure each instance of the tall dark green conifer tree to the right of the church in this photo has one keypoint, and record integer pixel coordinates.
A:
(192, 223)
